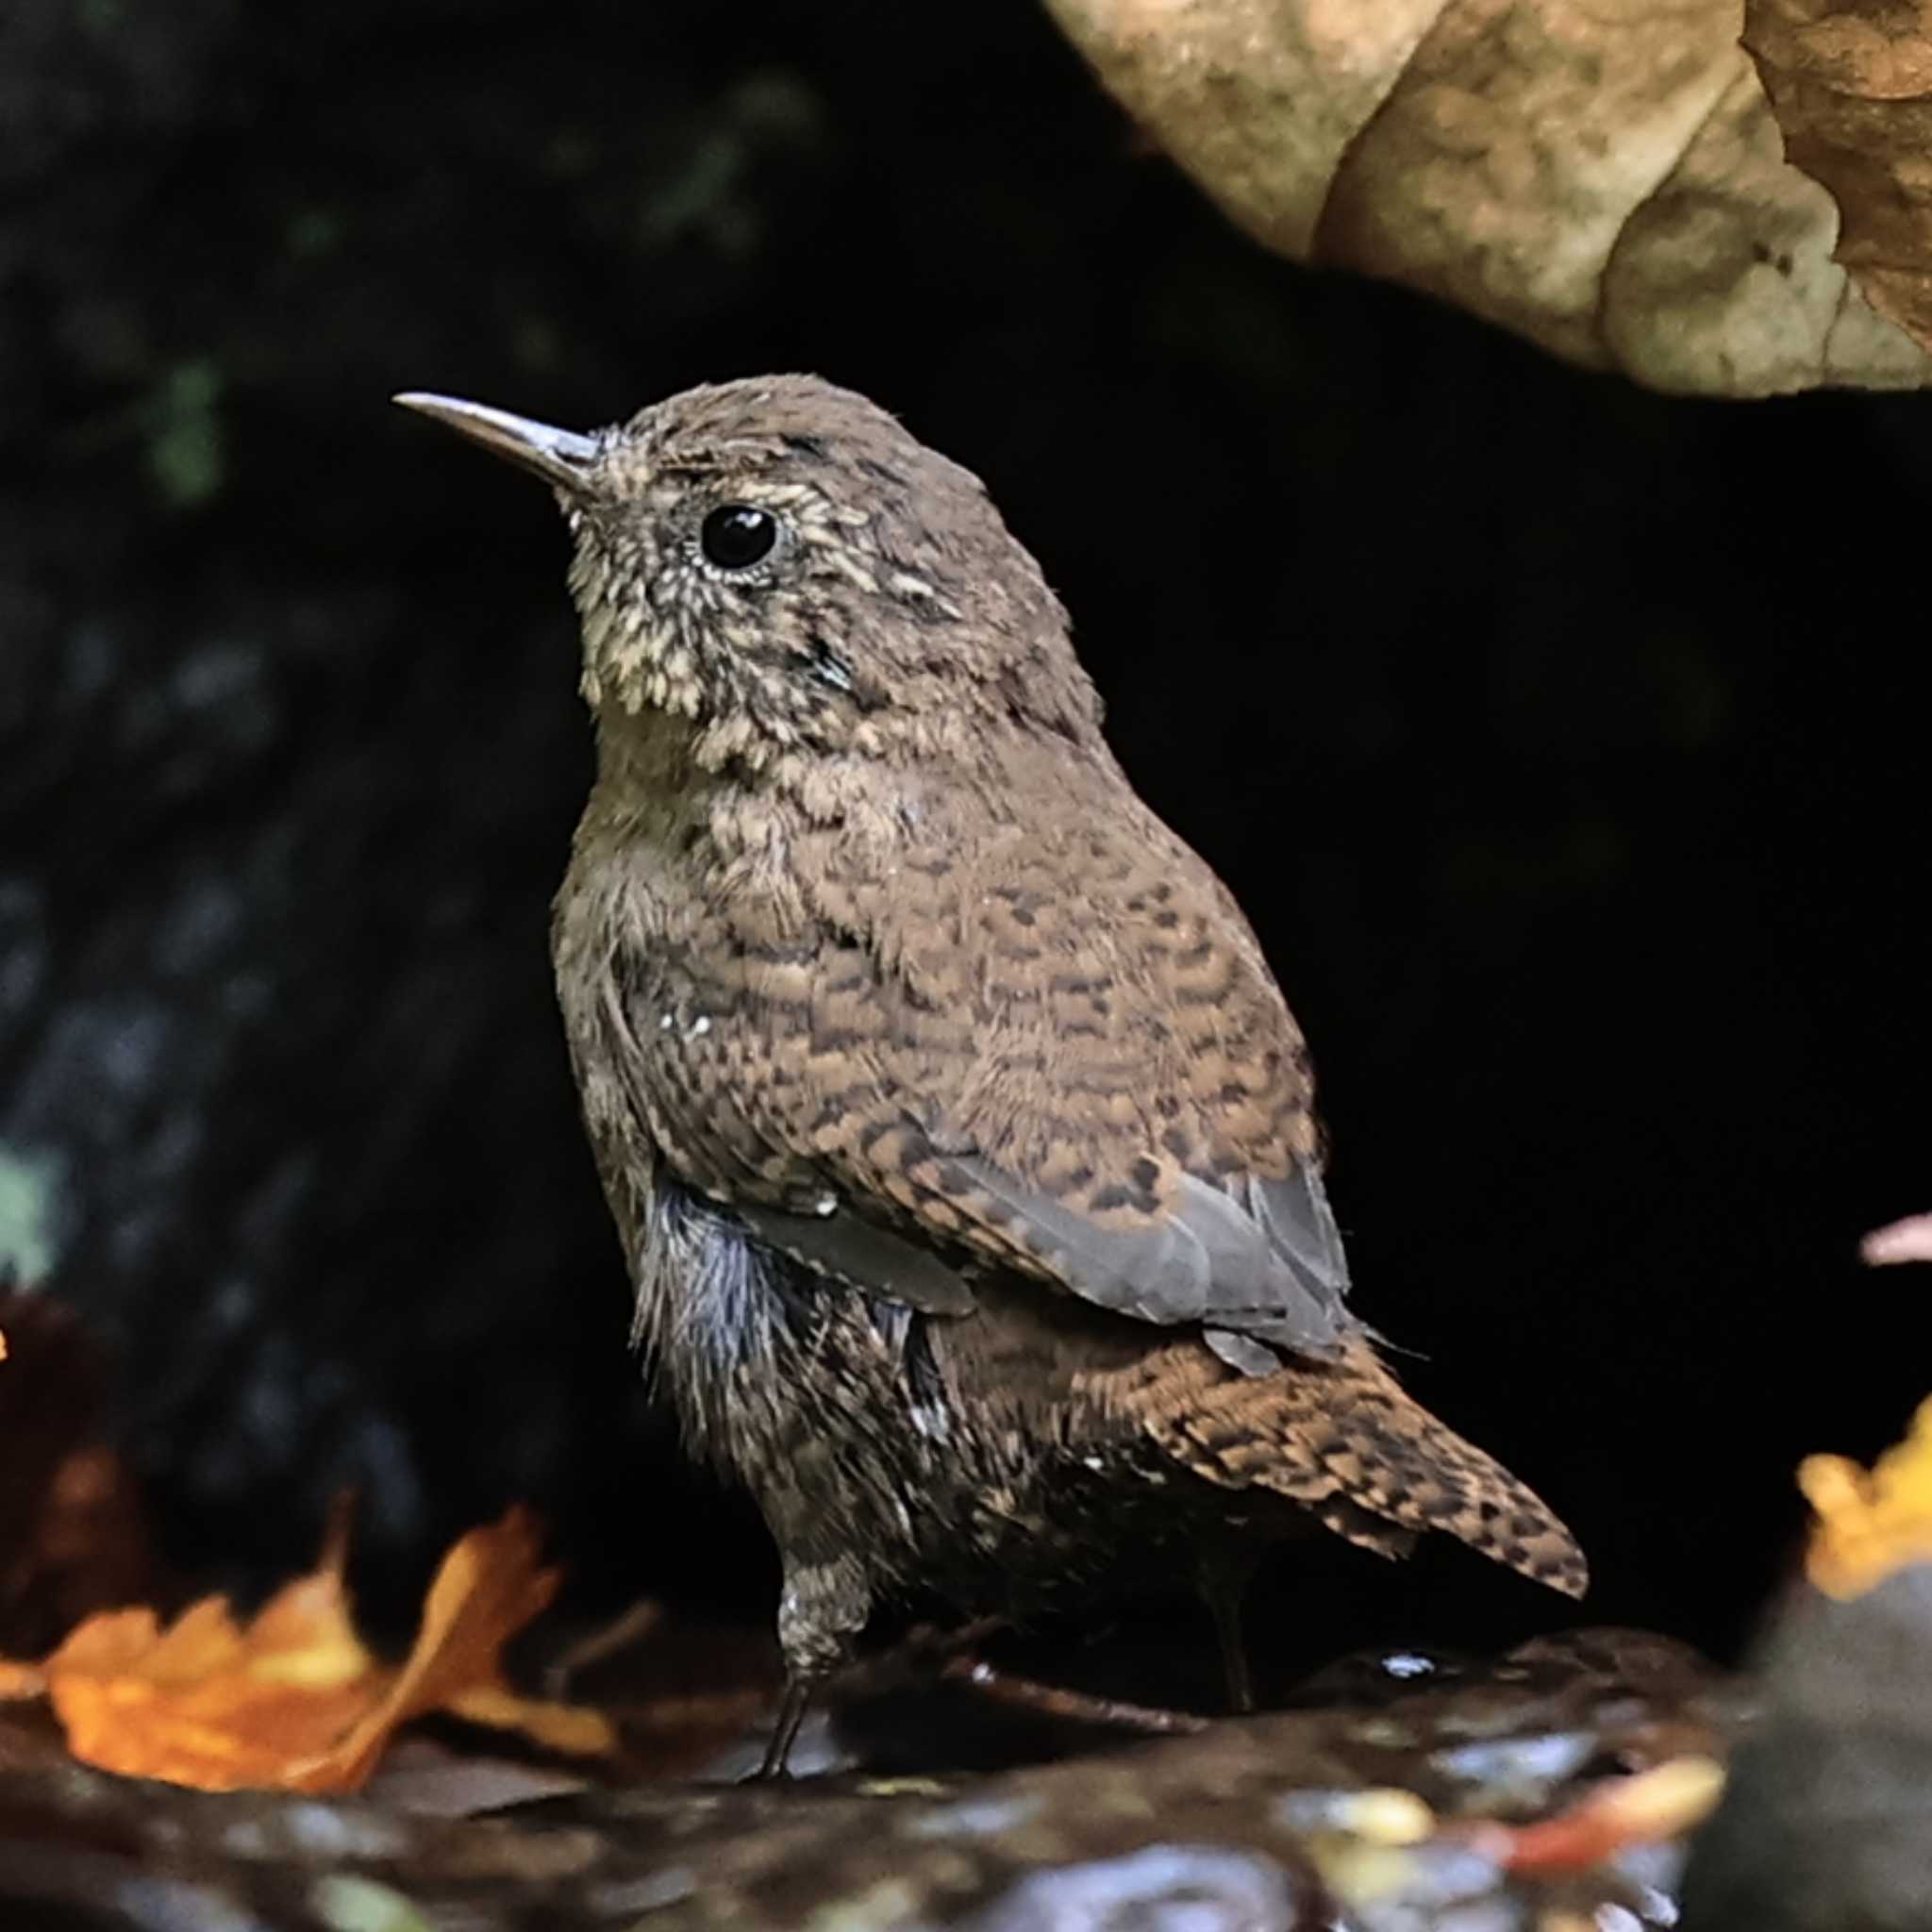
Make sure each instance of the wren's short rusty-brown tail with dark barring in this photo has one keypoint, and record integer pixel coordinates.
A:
(1346, 1440)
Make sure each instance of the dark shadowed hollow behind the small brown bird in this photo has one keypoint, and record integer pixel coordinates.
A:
(1556, 737)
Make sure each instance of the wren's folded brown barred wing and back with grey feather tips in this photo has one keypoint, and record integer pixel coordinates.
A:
(1096, 1085)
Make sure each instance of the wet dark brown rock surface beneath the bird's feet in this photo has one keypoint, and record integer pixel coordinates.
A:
(1245, 1825)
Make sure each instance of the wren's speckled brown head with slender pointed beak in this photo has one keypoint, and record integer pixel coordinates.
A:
(783, 565)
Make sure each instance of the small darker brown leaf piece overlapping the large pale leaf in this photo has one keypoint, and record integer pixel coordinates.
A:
(1852, 88)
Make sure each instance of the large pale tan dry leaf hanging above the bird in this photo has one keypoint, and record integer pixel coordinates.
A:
(1606, 181)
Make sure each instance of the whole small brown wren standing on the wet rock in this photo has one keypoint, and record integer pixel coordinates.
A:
(957, 1133)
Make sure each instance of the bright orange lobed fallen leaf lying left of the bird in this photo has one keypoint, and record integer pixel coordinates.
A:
(295, 1699)
